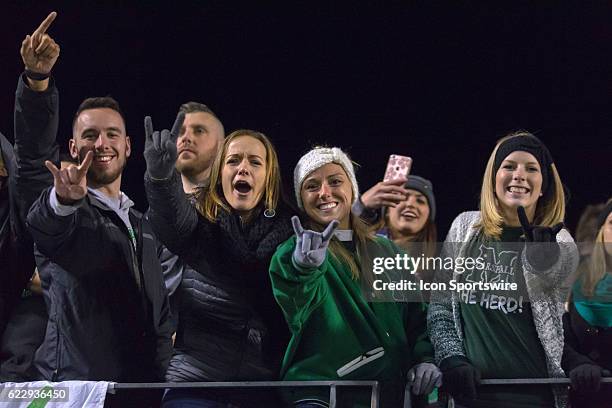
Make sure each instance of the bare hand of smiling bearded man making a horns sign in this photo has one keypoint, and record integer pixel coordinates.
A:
(71, 183)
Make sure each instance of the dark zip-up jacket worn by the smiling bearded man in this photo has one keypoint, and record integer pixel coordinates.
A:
(109, 317)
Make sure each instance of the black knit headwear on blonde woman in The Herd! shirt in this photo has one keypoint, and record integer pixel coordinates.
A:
(530, 144)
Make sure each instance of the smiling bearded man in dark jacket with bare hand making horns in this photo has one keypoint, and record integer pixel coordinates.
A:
(101, 279)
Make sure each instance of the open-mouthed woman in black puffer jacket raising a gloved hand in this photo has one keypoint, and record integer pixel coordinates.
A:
(230, 328)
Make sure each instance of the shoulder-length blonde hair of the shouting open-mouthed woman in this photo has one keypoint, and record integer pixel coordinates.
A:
(210, 200)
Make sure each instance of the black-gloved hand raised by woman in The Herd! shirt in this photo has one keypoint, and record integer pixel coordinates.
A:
(541, 249)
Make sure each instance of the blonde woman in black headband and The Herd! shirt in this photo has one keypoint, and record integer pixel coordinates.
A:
(518, 236)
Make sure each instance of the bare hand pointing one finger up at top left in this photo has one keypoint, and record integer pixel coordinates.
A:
(38, 51)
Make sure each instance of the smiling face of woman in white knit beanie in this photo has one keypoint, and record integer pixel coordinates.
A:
(327, 195)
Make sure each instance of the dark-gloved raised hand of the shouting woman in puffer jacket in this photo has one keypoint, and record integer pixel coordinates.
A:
(160, 148)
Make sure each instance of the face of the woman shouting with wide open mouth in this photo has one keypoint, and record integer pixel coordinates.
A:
(243, 174)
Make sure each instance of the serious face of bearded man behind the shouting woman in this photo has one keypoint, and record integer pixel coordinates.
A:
(197, 144)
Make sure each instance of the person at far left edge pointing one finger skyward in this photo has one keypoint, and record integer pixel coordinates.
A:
(36, 122)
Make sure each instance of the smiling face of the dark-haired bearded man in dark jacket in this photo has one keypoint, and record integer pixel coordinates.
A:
(103, 131)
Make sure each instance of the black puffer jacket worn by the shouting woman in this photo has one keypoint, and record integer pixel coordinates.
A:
(230, 327)
